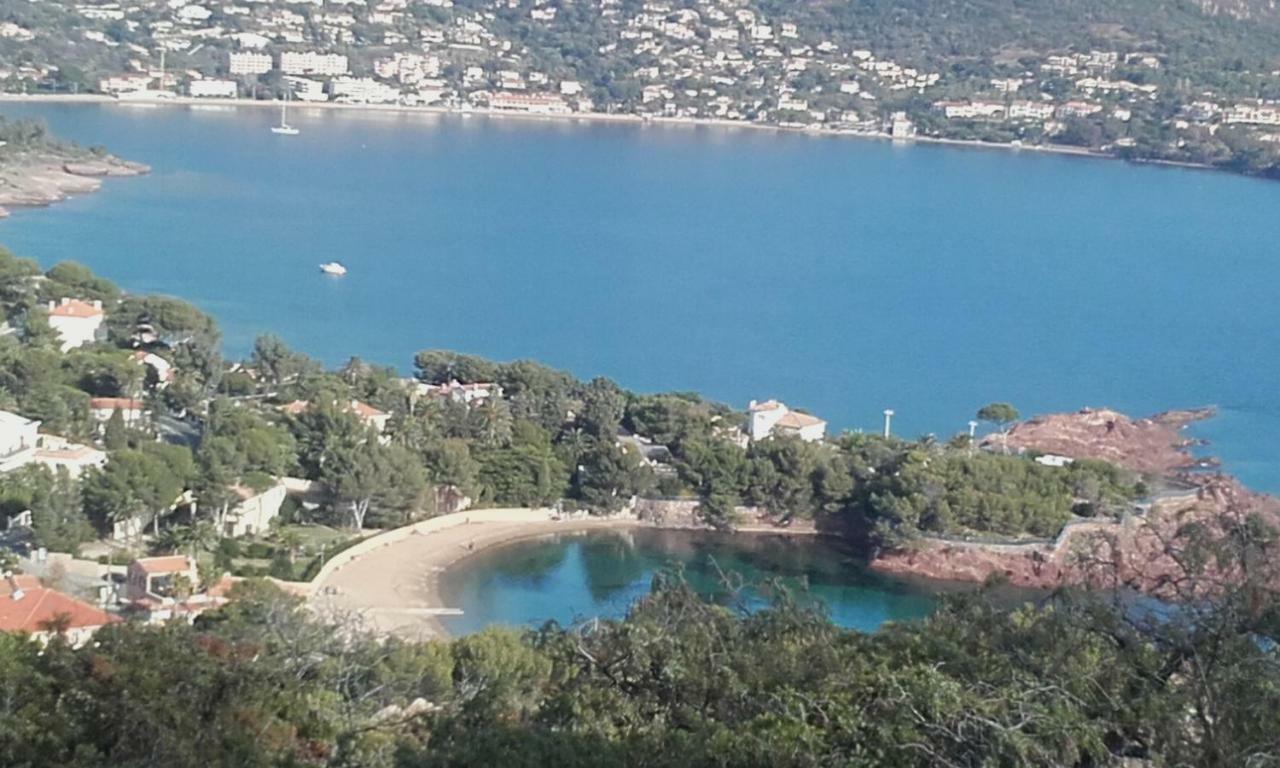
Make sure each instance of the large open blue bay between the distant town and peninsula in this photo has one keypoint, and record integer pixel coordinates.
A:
(842, 276)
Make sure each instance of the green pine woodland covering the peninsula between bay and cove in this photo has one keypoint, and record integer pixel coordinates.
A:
(550, 438)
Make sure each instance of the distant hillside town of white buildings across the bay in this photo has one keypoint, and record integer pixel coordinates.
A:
(1146, 81)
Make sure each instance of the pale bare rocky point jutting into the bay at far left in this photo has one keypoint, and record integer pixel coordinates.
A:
(44, 180)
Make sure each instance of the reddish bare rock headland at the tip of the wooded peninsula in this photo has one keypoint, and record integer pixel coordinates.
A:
(1144, 550)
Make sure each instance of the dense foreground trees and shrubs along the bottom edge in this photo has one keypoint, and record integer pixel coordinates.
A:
(1075, 682)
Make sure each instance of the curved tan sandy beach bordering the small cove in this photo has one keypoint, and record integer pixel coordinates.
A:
(394, 591)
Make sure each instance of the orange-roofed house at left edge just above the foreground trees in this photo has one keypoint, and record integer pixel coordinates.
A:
(34, 610)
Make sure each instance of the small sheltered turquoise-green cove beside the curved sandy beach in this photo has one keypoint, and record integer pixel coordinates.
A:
(575, 578)
